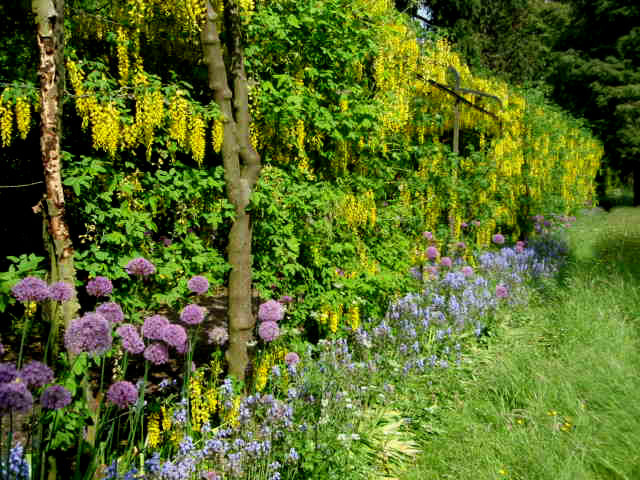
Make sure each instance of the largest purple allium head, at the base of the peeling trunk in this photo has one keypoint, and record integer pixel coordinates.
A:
(90, 333)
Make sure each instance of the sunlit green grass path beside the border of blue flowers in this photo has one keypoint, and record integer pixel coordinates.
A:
(556, 393)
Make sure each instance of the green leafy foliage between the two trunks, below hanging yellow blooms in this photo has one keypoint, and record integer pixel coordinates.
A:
(126, 212)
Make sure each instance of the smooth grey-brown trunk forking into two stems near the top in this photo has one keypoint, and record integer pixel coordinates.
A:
(242, 169)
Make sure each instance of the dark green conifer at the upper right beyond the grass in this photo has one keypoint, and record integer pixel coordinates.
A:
(596, 74)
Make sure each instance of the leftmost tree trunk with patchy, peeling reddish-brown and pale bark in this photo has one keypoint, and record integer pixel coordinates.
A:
(50, 37)
